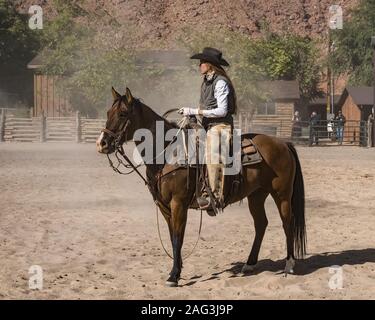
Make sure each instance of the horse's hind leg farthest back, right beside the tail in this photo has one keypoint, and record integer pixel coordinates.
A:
(285, 210)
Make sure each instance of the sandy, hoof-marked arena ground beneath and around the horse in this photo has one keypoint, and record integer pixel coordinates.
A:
(94, 233)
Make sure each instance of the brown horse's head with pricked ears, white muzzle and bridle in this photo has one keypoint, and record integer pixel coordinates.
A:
(119, 127)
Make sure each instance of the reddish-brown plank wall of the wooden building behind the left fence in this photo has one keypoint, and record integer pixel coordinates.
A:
(47, 97)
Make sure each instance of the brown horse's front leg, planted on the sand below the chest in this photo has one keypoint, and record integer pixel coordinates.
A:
(177, 225)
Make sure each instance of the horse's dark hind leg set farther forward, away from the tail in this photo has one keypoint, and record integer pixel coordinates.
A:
(256, 205)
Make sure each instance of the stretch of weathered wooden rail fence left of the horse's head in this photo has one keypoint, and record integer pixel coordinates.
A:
(45, 129)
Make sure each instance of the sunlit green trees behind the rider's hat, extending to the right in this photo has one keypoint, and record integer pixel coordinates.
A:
(271, 57)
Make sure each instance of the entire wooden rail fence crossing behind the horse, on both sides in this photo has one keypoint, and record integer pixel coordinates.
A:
(79, 129)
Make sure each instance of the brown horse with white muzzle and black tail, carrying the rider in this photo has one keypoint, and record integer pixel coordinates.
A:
(279, 174)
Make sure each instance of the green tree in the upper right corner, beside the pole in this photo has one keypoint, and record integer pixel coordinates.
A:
(353, 52)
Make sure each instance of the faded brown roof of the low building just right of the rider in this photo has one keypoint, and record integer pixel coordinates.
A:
(282, 89)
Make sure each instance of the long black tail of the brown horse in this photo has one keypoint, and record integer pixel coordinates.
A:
(298, 208)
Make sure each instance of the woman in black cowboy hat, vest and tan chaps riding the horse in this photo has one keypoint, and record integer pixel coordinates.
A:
(217, 104)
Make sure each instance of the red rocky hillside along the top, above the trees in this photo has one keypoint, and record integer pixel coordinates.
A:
(158, 22)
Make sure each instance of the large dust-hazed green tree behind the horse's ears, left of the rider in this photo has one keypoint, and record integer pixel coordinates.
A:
(90, 61)
